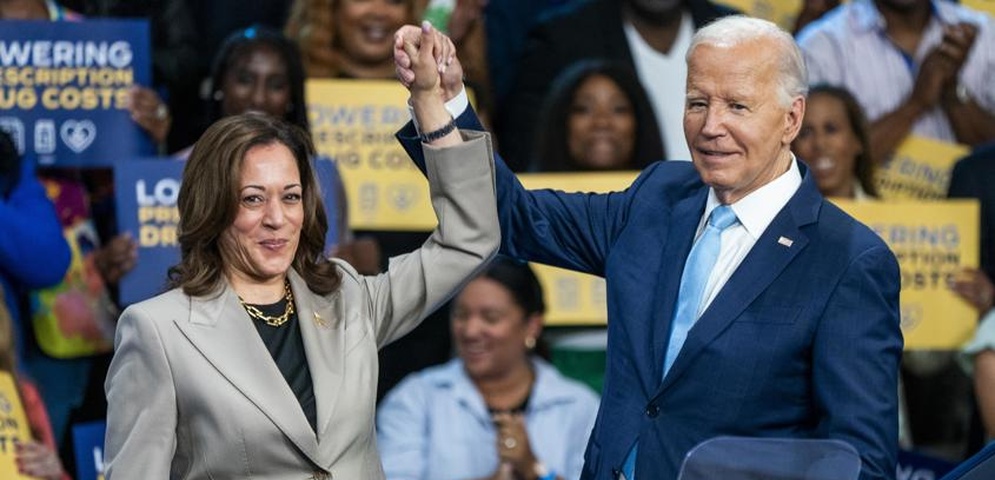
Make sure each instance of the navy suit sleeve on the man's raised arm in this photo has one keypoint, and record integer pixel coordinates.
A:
(567, 230)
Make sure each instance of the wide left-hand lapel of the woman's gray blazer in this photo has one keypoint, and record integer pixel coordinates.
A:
(222, 332)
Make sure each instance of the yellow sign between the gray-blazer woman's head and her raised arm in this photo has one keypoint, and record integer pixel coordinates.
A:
(353, 122)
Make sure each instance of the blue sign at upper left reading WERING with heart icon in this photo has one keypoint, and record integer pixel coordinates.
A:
(64, 89)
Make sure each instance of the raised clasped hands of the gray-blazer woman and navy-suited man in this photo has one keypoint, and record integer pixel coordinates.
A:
(425, 59)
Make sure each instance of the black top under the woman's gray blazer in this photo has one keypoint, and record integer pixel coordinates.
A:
(286, 346)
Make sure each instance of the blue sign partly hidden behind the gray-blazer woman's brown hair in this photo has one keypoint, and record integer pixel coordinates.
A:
(146, 192)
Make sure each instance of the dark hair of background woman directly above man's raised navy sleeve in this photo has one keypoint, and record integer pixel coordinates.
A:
(552, 152)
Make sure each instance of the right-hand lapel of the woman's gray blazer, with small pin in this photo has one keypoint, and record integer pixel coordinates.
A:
(321, 328)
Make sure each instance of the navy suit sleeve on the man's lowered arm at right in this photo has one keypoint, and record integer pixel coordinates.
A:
(856, 353)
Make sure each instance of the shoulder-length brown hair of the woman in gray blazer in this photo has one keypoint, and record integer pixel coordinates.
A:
(209, 201)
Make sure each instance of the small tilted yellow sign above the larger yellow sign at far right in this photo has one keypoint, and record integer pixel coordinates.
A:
(919, 170)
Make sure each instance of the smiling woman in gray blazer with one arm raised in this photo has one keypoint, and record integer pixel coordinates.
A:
(261, 362)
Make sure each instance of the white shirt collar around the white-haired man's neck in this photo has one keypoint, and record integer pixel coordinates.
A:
(756, 210)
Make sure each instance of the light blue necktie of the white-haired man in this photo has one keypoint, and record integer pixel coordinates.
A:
(697, 269)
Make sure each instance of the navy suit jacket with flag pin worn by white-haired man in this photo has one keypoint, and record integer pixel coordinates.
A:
(802, 341)
